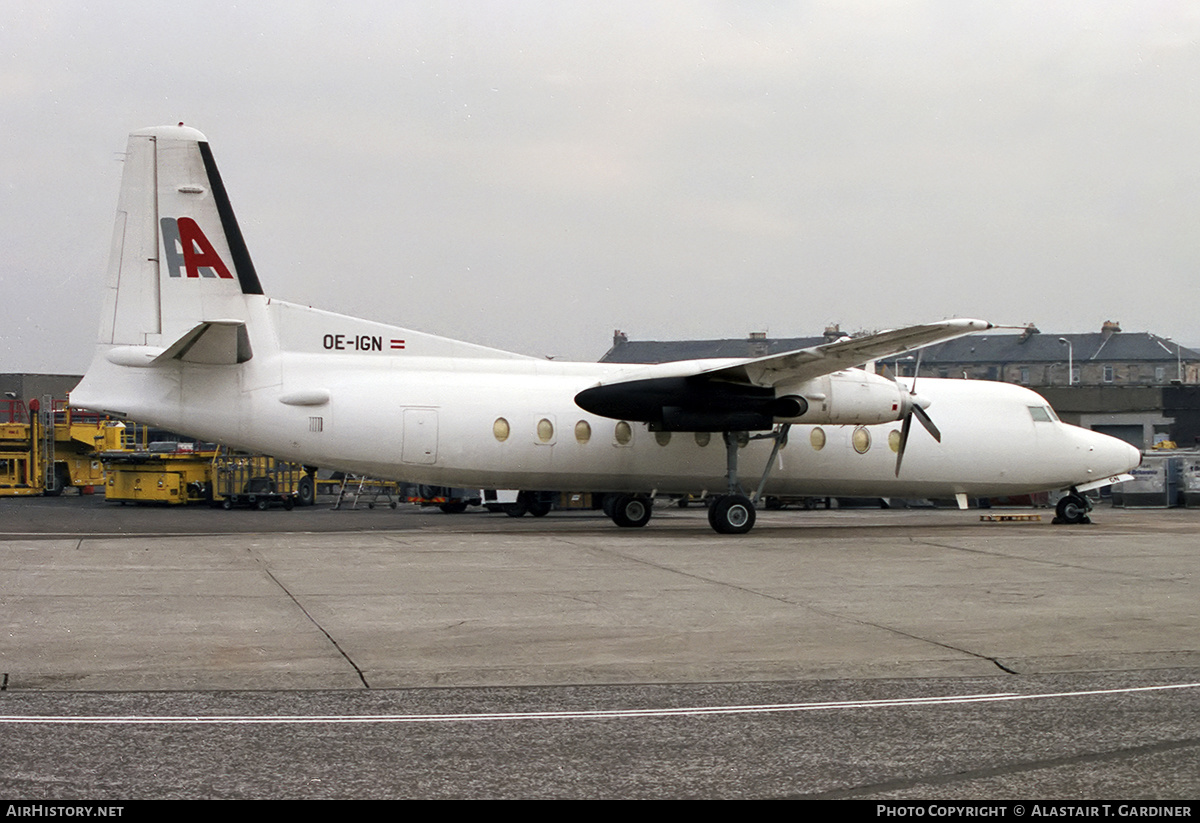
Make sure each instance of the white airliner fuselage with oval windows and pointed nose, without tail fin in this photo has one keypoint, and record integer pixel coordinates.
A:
(511, 424)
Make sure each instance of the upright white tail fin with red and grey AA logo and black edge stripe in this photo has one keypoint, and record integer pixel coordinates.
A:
(178, 257)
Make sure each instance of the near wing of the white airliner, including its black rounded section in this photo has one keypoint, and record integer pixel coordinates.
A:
(700, 395)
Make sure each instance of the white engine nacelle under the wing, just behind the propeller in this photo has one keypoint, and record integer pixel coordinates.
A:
(851, 398)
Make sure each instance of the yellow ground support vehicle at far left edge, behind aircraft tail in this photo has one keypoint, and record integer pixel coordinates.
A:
(46, 447)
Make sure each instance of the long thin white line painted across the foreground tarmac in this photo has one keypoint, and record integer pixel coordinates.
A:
(597, 714)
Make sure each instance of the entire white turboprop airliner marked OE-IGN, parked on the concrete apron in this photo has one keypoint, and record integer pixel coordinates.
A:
(190, 343)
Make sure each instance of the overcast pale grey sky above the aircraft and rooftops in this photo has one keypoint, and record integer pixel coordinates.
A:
(532, 176)
